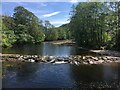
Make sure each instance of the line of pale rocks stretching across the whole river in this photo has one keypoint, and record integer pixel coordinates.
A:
(72, 59)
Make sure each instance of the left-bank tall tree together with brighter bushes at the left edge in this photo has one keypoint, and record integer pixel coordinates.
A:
(22, 28)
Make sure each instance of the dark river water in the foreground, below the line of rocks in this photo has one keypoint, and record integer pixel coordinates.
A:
(36, 75)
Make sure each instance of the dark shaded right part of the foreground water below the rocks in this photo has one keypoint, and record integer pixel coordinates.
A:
(105, 75)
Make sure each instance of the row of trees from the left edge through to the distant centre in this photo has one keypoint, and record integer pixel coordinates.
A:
(24, 27)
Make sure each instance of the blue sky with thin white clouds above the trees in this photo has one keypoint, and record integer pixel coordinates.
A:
(57, 13)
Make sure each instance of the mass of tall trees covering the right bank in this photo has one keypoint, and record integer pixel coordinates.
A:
(96, 25)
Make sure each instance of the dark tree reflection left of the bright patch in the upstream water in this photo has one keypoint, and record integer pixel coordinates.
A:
(24, 49)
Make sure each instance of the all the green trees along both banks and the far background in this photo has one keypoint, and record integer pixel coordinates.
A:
(93, 25)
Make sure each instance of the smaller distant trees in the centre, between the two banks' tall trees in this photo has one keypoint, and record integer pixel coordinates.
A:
(59, 33)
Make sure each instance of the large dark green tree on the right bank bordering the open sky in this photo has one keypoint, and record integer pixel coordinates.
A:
(88, 24)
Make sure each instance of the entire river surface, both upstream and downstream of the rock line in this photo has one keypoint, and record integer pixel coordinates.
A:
(39, 75)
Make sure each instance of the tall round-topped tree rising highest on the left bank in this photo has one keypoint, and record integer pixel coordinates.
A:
(28, 26)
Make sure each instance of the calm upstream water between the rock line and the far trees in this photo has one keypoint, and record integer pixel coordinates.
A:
(45, 49)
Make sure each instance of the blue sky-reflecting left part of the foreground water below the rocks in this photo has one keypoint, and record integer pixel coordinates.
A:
(34, 75)
